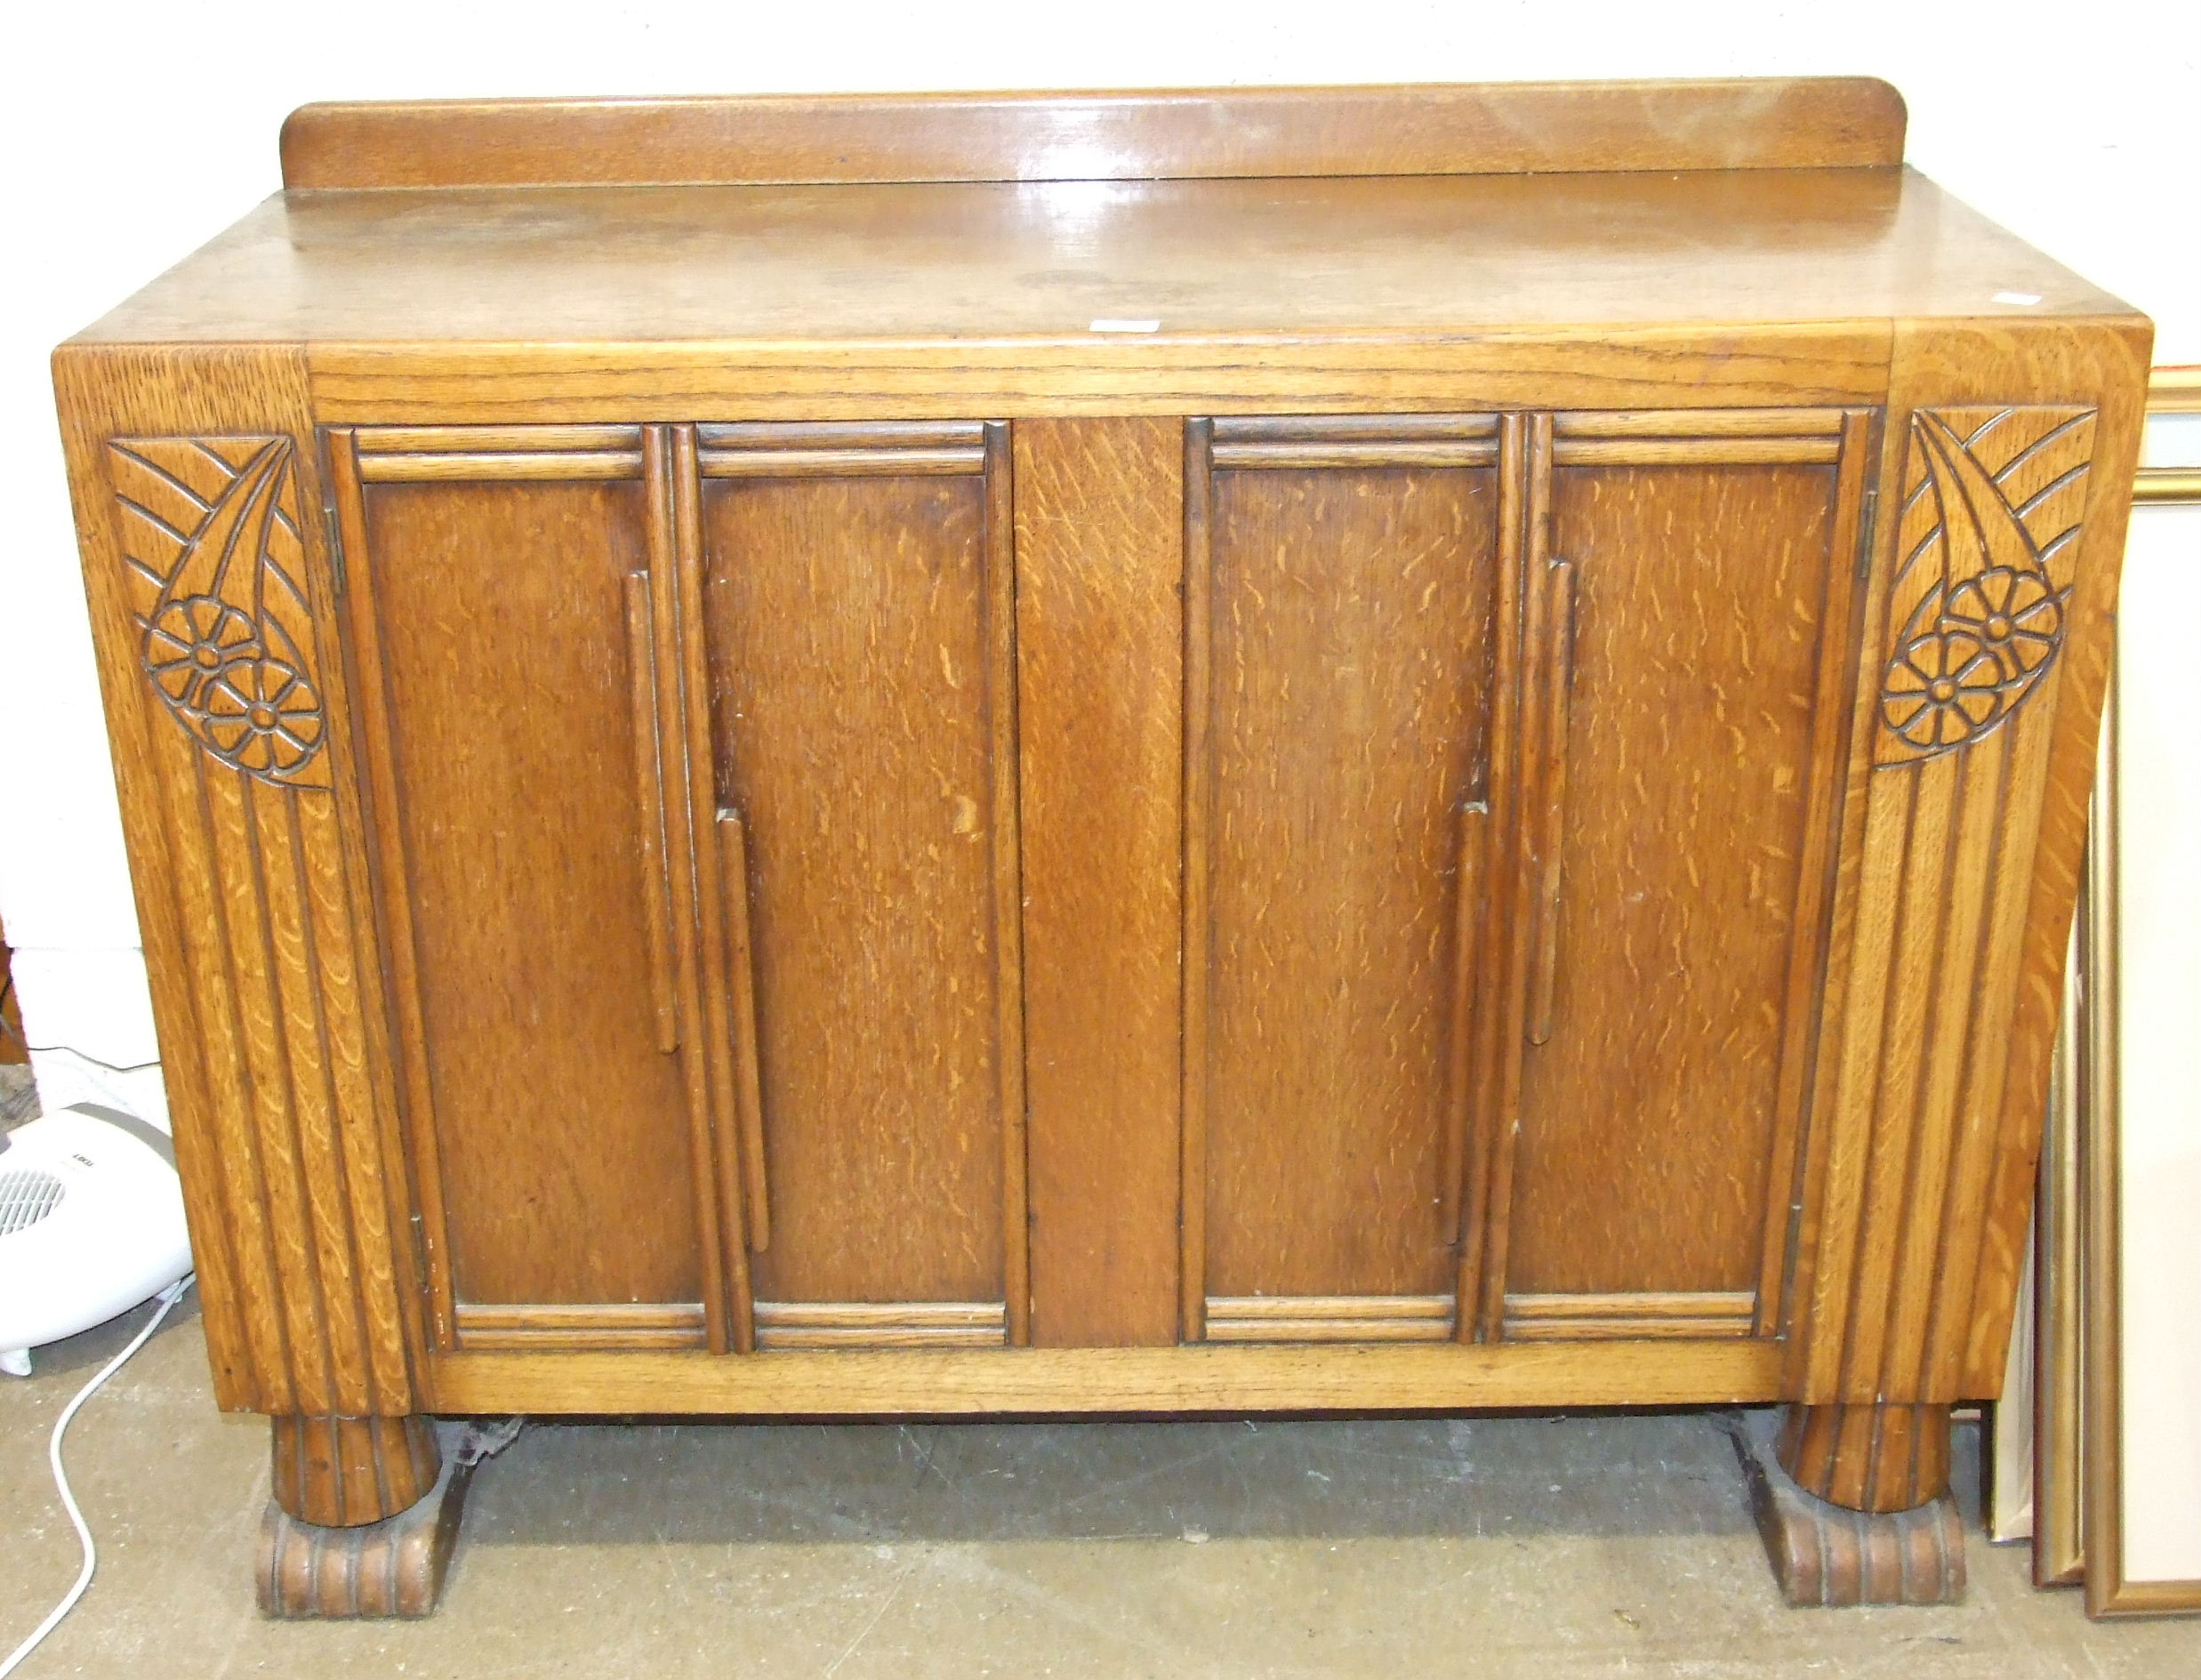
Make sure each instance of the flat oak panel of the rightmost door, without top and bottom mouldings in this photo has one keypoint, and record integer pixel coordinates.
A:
(1702, 593)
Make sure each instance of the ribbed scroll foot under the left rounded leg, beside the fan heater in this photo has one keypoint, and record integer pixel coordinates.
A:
(382, 1569)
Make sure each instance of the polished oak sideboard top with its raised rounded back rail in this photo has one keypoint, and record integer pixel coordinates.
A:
(1260, 219)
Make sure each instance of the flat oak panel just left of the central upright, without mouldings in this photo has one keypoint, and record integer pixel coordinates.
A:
(853, 728)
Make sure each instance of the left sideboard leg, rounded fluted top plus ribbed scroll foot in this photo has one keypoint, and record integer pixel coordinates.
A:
(364, 1518)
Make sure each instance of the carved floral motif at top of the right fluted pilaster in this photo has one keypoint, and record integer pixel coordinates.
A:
(1991, 519)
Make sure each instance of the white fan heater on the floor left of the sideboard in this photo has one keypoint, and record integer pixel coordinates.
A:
(91, 1223)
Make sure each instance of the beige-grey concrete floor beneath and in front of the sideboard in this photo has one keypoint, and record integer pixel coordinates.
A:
(1421, 1549)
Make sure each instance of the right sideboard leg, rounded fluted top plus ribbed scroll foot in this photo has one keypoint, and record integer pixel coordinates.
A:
(1854, 1505)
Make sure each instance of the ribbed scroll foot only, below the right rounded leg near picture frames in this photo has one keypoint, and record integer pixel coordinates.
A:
(1832, 1556)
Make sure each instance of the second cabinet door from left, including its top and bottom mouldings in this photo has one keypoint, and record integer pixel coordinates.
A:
(857, 613)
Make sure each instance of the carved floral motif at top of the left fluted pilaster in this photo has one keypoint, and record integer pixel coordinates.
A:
(215, 554)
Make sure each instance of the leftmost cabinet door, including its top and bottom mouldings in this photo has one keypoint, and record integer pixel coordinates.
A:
(505, 611)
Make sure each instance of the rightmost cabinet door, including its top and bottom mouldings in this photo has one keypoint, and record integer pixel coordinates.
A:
(1689, 688)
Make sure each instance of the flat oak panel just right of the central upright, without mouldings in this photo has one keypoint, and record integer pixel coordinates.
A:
(1350, 624)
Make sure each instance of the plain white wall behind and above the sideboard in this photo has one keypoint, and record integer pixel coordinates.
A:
(140, 131)
